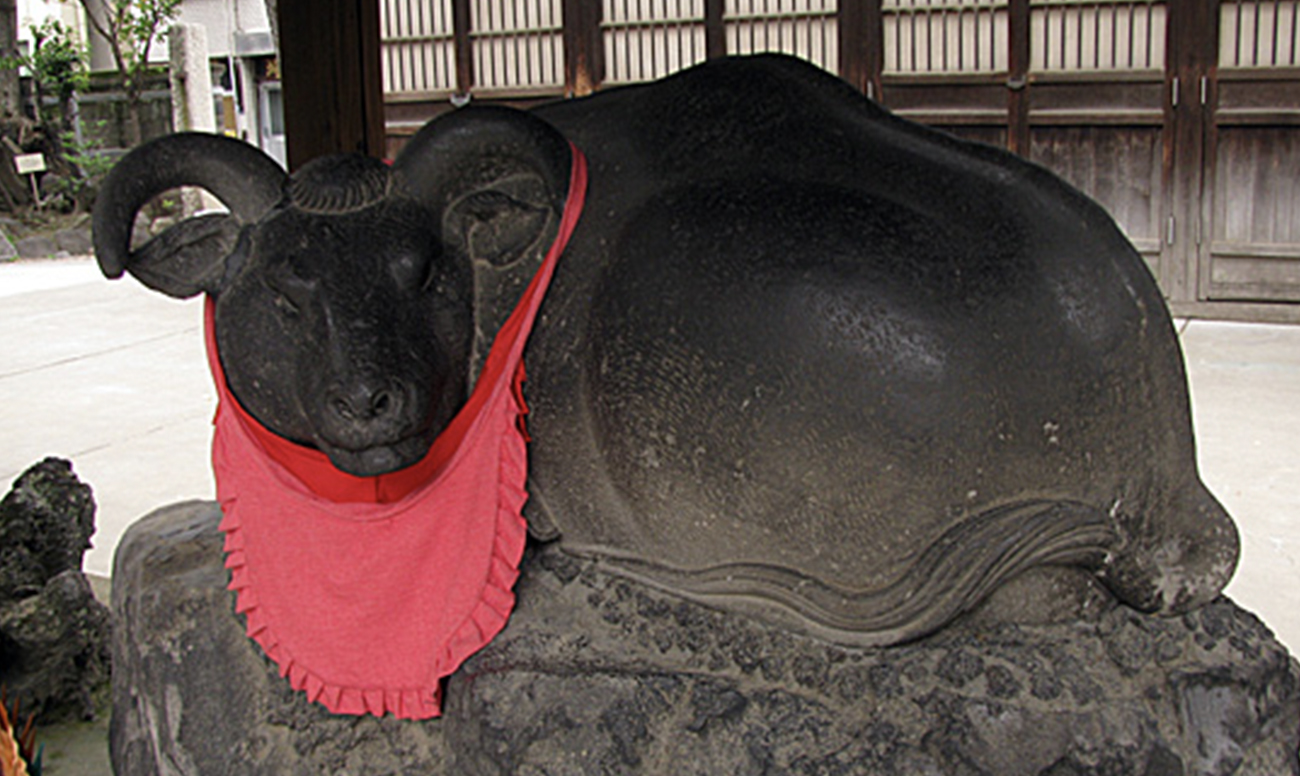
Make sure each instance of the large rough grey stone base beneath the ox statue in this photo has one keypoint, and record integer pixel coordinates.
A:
(600, 675)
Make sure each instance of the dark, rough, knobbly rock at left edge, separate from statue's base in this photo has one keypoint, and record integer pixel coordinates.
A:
(54, 634)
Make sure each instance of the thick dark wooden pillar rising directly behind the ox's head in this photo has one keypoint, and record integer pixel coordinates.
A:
(330, 54)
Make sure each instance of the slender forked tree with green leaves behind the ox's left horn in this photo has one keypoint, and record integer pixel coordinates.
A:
(132, 28)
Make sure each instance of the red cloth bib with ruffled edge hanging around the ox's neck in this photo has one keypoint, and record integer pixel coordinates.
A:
(369, 591)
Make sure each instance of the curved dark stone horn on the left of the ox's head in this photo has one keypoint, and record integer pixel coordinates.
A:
(242, 177)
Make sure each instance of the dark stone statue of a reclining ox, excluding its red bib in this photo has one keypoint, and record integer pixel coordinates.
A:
(801, 359)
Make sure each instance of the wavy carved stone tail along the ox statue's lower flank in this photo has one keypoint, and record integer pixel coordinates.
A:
(954, 575)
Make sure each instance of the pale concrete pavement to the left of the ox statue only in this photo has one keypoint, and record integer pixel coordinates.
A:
(110, 376)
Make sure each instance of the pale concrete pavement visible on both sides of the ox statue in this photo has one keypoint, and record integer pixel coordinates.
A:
(112, 378)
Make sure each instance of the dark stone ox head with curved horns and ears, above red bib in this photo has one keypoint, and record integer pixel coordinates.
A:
(345, 294)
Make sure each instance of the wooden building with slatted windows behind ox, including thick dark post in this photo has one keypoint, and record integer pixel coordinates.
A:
(1182, 118)
